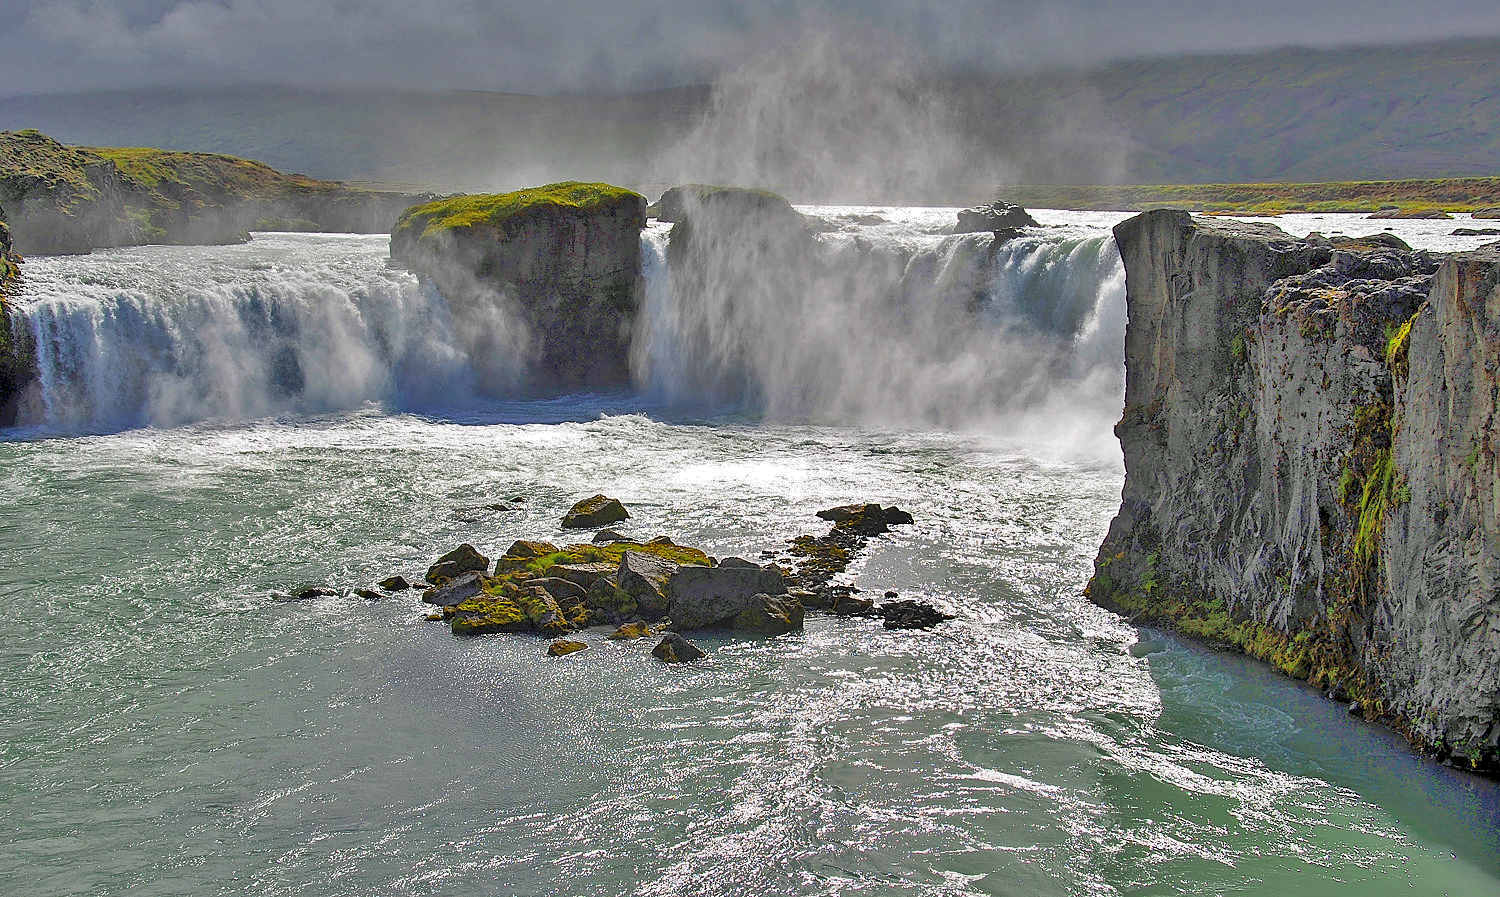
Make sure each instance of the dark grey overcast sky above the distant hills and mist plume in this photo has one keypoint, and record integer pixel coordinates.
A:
(616, 46)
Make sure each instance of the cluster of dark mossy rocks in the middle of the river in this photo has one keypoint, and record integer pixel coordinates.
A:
(650, 589)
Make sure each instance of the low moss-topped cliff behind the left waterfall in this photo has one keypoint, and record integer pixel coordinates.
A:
(70, 200)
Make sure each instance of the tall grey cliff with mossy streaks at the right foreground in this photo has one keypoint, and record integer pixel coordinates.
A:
(1307, 466)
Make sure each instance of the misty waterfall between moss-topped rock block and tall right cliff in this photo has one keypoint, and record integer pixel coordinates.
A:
(887, 325)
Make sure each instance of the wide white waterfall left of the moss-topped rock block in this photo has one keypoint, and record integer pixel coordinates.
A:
(167, 337)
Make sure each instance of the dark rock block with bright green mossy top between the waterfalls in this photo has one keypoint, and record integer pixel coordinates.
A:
(548, 280)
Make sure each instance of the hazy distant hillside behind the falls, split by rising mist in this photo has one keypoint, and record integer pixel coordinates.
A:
(1288, 116)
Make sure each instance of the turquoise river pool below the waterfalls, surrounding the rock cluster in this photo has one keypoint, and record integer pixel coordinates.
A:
(170, 730)
